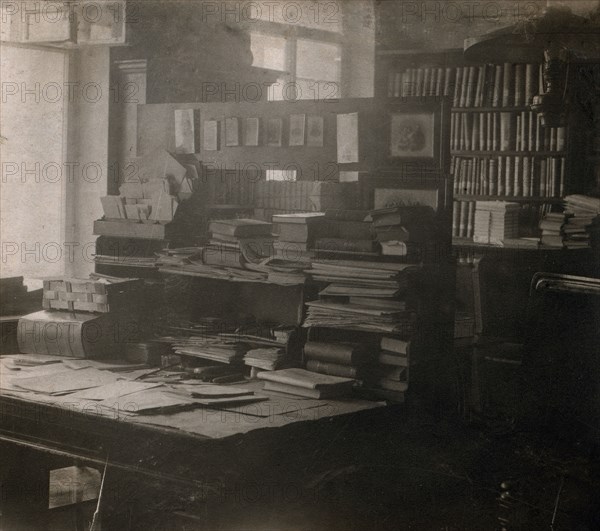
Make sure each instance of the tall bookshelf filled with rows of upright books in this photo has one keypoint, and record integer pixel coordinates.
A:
(499, 149)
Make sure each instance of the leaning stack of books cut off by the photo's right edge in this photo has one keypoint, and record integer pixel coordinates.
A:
(582, 227)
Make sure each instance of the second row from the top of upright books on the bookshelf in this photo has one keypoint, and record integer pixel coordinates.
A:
(504, 131)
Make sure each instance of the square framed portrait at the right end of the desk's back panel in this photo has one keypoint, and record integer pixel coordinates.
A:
(415, 136)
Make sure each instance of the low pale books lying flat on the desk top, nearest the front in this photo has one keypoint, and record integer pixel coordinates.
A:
(300, 382)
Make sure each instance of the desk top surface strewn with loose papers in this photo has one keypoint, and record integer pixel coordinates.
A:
(195, 419)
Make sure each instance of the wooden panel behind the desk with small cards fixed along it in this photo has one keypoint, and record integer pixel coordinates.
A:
(156, 130)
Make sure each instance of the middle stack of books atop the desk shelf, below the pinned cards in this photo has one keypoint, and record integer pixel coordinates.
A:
(296, 234)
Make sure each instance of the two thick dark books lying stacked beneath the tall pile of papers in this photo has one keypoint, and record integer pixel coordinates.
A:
(336, 359)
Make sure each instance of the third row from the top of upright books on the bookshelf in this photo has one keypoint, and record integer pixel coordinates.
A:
(518, 176)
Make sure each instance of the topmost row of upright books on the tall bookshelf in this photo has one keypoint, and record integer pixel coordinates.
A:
(501, 85)
